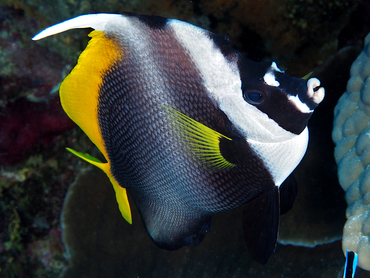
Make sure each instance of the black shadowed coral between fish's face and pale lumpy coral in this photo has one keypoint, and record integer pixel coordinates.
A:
(320, 203)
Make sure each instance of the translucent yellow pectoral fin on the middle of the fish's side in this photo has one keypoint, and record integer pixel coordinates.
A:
(199, 139)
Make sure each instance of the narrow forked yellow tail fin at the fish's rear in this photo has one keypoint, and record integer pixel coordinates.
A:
(121, 194)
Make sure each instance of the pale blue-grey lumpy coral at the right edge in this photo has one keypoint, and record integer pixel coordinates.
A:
(352, 154)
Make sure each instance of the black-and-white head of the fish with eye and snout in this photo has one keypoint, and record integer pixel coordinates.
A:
(271, 106)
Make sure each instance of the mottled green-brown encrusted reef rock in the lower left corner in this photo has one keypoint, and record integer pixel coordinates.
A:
(32, 194)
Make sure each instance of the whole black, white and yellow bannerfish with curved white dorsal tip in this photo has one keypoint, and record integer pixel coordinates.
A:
(188, 126)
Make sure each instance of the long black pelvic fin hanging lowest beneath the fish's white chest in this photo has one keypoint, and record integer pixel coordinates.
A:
(261, 225)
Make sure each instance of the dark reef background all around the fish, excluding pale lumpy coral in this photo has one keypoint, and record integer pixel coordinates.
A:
(59, 217)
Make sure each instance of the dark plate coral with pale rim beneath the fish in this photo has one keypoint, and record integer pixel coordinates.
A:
(105, 245)
